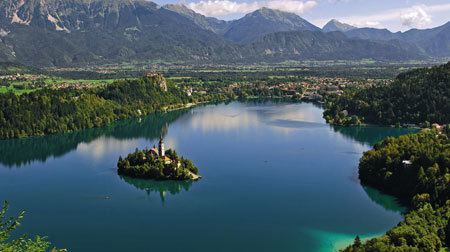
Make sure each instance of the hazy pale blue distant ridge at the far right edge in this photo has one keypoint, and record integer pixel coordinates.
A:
(435, 42)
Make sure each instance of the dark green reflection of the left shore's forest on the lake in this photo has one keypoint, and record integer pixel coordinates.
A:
(22, 151)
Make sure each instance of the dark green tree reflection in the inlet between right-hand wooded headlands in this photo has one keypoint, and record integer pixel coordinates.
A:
(371, 135)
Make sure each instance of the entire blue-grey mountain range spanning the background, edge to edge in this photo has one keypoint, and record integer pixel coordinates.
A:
(74, 32)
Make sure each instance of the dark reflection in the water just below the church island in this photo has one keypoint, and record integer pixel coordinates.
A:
(159, 187)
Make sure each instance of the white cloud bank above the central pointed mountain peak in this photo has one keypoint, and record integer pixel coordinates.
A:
(225, 7)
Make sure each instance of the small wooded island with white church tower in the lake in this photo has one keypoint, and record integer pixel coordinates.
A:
(157, 164)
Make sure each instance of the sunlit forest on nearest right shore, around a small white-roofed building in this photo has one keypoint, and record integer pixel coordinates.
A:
(414, 168)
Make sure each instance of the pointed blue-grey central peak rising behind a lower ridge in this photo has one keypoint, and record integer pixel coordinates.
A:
(255, 25)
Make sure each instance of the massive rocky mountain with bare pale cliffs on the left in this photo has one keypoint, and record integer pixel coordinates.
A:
(67, 32)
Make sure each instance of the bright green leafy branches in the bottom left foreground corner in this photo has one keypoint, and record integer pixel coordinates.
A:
(21, 244)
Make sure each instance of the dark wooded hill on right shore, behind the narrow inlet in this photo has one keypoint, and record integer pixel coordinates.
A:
(415, 97)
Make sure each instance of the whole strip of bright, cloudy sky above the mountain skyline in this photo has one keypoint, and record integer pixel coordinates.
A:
(395, 15)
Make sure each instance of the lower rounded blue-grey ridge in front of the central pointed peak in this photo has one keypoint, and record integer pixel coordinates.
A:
(296, 45)
